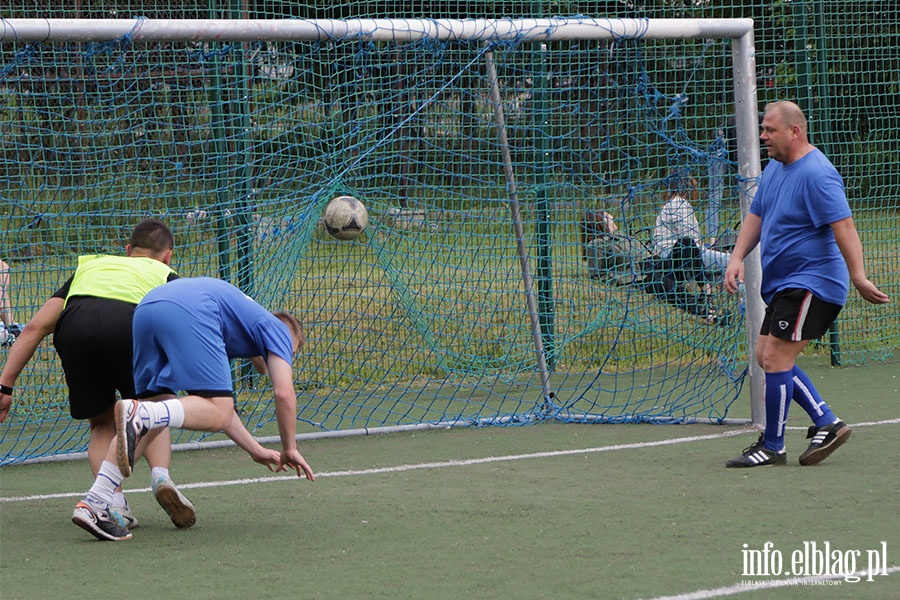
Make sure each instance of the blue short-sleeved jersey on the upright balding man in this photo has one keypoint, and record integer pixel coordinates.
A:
(797, 204)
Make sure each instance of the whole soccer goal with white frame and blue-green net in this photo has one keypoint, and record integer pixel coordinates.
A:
(481, 149)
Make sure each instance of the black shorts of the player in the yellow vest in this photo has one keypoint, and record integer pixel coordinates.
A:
(93, 340)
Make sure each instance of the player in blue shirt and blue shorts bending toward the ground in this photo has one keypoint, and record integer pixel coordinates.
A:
(185, 333)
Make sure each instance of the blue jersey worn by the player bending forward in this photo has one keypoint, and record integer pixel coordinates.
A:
(247, 328)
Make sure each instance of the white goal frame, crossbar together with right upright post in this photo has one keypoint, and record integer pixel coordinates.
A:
(740, 31)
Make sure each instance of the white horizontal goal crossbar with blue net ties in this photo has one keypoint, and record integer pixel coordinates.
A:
(199, 30)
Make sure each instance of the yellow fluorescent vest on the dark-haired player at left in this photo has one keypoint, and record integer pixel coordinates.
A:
(125, 278)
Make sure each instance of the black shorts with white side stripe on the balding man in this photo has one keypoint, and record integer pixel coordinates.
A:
(797, 315)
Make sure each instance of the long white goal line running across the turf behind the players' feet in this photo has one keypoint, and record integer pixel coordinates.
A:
(439, 465)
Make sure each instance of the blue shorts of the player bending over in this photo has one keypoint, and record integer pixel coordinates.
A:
(174, 351)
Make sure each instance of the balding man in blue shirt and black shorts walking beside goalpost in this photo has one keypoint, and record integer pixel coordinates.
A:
(809, 249)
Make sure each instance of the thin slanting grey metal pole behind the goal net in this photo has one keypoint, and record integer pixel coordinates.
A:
(515, 213)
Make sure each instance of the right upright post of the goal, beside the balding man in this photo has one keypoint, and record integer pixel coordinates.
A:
(746, 115)
